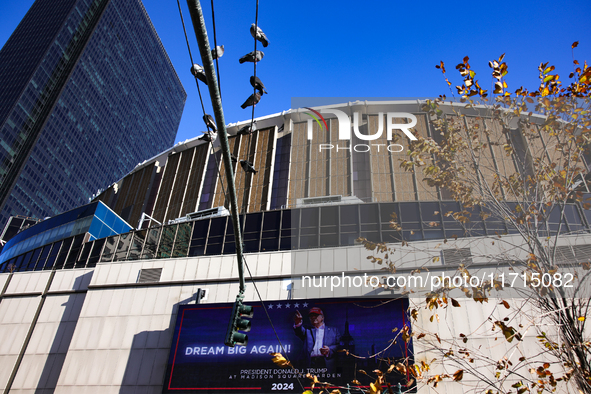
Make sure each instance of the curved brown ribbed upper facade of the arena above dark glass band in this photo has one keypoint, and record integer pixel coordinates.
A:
(295, 171)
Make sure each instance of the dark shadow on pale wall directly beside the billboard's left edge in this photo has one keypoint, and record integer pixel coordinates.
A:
(148, 358)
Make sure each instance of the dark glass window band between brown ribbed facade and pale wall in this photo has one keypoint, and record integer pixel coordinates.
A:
(326, 226)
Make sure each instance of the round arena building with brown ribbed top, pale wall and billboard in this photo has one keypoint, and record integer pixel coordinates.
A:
(133, 292)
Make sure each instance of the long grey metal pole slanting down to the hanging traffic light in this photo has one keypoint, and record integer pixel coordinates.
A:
(216, 102)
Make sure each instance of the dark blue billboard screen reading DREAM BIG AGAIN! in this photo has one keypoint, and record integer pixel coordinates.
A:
(313, 333)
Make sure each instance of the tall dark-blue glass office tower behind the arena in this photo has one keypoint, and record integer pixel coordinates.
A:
(88, 92)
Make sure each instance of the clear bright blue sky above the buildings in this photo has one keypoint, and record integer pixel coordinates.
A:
(361, 49)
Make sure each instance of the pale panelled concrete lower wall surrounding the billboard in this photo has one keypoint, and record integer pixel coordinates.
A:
(100, 331)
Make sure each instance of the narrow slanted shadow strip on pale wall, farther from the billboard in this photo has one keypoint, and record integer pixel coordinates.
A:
(63, 336)
